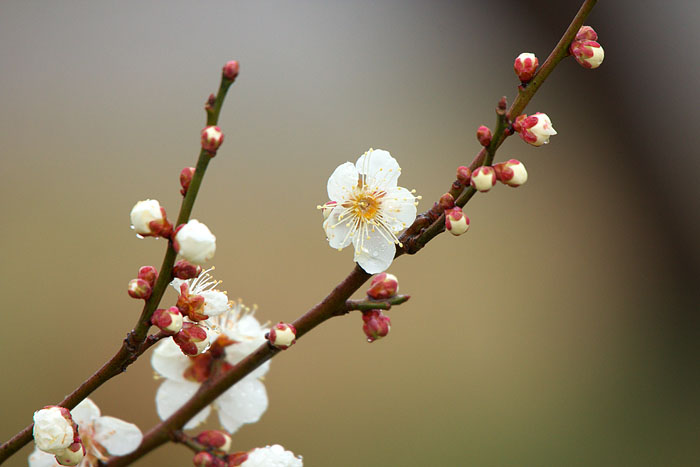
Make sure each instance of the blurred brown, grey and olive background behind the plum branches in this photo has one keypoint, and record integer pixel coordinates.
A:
(561, 330)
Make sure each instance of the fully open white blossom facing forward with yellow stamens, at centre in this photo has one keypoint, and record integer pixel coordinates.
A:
(368, 209)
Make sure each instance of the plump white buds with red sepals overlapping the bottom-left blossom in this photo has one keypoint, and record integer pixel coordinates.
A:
(55, 432)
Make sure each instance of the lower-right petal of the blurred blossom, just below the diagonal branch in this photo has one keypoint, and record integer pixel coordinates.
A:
(244, 403)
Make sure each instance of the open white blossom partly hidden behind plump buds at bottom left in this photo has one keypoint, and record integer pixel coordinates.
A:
(102, 436)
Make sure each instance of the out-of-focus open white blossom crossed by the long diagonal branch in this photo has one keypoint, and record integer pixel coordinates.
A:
(243, 403)
